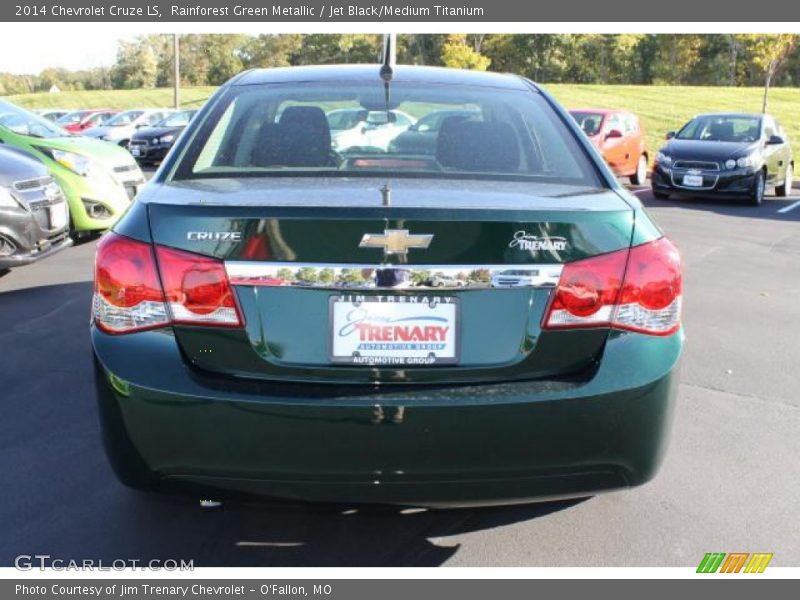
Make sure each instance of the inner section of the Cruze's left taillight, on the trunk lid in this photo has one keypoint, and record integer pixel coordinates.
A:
(197, 289)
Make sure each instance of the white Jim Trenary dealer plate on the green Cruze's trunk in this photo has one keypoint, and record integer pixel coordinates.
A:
(394, 330)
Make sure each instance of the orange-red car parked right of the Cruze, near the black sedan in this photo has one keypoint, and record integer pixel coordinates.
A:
(619, 136)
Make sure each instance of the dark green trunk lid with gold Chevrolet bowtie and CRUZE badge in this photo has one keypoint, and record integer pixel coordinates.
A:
(295, 247)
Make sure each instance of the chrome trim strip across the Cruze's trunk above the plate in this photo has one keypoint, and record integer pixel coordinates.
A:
(397, 277)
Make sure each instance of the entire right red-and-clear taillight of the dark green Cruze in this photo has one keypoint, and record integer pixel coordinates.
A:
(637, 289)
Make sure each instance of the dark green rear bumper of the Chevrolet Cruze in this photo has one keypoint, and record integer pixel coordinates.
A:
(415, 445)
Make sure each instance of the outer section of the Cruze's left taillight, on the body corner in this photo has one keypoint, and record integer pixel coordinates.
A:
(128, 294)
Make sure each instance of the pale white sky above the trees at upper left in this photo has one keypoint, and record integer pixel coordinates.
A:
(23, 51)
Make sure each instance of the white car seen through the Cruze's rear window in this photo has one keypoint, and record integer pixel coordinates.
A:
(353, 128)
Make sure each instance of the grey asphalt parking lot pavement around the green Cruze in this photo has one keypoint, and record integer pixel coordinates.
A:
(731, 481)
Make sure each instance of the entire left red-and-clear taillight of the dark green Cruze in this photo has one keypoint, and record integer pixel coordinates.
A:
(129, 295)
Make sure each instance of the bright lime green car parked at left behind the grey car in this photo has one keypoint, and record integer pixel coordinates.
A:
(99, 179)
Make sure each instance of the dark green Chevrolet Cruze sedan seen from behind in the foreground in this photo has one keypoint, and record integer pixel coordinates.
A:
(487, 317)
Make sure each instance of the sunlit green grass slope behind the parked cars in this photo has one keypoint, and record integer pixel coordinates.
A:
(661, 108)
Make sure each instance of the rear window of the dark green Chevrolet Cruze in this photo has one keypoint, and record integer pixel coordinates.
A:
(300, 129)
